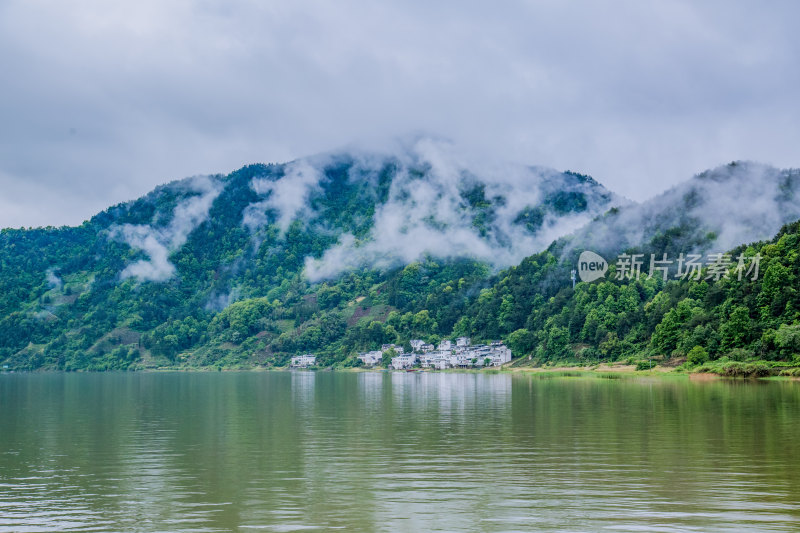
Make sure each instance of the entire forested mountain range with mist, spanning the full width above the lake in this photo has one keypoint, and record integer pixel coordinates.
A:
(342, 252)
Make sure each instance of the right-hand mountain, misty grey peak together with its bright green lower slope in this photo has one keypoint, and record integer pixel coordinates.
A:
(734, 323)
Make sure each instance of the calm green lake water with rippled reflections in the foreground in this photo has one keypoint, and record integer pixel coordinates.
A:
(292, 451)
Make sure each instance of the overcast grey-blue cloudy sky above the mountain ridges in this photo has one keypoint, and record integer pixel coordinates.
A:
(102, 100)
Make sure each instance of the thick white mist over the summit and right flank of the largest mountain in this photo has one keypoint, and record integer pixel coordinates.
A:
(426, 212)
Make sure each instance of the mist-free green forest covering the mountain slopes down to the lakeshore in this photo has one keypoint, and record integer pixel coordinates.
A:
(240, 299)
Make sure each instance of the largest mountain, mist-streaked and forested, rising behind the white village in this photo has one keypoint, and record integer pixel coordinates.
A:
(234, 268)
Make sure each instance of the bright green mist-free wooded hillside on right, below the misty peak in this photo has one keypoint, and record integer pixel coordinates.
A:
(719, 321)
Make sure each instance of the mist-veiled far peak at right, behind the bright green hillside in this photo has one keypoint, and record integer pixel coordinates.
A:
(715, 211)
